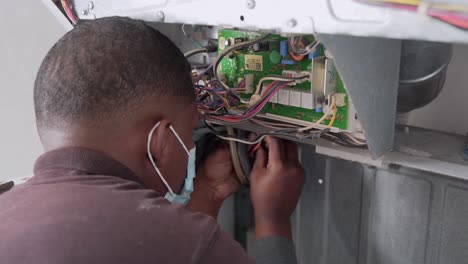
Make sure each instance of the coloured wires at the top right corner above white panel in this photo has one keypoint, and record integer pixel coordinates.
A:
(454, 14)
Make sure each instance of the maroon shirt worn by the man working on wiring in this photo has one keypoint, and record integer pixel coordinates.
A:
(84, 207)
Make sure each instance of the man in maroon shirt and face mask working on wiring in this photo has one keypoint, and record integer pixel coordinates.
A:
(115, 113)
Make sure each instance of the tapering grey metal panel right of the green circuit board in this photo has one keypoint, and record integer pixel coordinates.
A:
(370, 68)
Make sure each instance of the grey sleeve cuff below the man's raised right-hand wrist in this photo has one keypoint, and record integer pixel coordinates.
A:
(274, 250)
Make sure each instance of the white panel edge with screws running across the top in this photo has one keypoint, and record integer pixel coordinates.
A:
(298, 16)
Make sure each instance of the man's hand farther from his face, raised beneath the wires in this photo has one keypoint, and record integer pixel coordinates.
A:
(276, 182)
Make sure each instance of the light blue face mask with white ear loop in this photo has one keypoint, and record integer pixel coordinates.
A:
(187, 189)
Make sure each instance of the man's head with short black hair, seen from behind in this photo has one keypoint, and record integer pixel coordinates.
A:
(105, 84)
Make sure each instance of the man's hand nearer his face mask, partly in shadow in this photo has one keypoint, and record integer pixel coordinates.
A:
(215, 181)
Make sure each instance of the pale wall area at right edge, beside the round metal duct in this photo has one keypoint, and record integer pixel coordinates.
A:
(449, 111)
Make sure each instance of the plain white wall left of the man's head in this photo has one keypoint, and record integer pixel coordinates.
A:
(27, 31)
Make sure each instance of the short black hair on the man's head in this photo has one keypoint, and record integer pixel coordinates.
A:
(108, 67)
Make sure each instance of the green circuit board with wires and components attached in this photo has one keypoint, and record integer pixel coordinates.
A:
(248, 61)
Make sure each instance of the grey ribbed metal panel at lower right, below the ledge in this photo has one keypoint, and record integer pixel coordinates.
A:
(353, 213)
